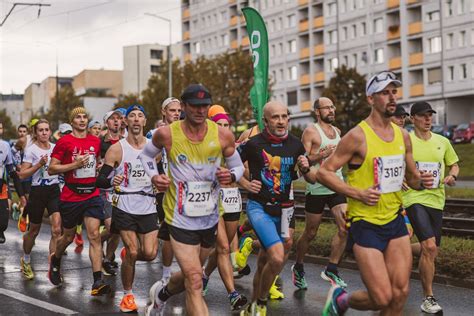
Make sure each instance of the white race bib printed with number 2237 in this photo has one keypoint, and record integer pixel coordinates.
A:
(198, 199)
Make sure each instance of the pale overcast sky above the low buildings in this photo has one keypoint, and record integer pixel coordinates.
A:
(86, 34)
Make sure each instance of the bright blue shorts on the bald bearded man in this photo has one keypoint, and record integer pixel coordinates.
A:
(266, 227)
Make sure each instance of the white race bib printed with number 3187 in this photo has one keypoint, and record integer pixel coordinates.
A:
(389, 173)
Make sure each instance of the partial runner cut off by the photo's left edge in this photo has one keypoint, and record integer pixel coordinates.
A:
(7, 170)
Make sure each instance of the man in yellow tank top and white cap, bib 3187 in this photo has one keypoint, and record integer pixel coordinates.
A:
(376, 152)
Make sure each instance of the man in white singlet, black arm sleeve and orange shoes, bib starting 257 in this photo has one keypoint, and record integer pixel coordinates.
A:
(134, 212)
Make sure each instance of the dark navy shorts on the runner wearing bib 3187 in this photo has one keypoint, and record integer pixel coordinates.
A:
(369, 235)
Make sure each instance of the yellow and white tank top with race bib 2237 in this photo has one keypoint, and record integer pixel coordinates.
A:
(192, 169)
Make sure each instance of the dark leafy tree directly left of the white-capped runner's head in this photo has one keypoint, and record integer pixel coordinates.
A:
(347, 91)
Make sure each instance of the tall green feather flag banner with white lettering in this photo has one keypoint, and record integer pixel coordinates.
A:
(258, 36)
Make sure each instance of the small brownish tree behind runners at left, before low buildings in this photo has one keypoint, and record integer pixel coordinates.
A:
(59, 111)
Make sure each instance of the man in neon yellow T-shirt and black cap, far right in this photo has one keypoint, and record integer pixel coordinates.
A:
(432, 153)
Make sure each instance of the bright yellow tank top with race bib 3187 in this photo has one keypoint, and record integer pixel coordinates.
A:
(384, 164)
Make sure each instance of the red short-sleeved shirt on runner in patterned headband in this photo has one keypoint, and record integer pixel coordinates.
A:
(65, 150)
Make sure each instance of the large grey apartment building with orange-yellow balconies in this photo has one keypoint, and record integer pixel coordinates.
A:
(428, 44)
